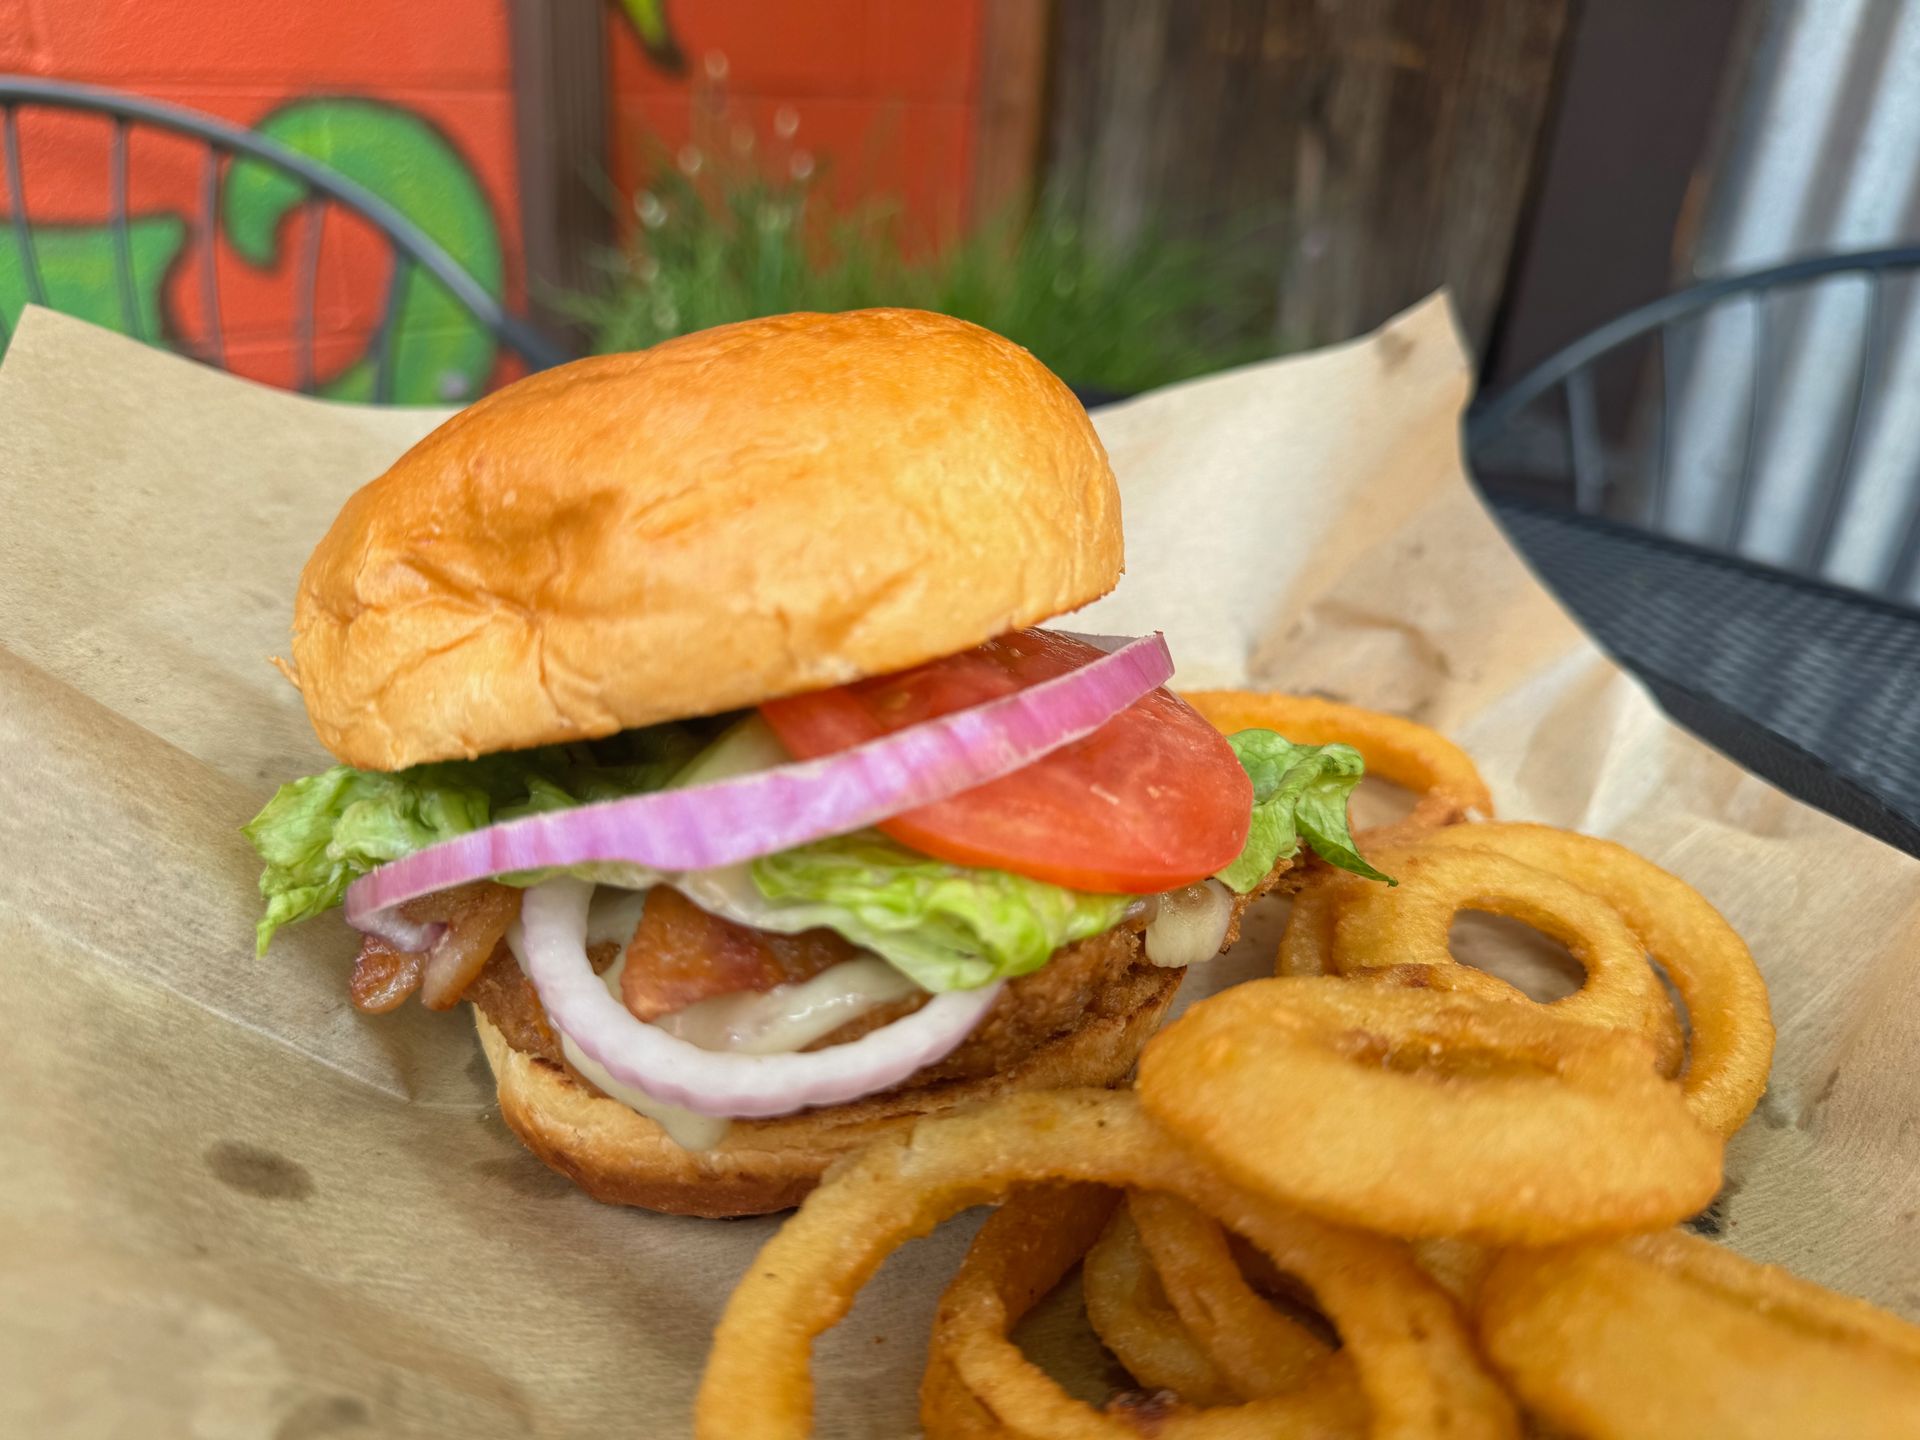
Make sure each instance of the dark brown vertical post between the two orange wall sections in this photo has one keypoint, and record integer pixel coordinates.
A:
(562, 120)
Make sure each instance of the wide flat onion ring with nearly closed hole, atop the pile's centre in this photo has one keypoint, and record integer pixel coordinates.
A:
(1431, 1113)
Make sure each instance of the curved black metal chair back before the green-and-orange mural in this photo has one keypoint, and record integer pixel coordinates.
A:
(320, 187)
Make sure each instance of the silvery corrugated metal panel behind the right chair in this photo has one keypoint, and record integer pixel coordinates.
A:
(1819, 466)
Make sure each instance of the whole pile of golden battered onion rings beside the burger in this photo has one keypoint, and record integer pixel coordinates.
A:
(1381, 1124)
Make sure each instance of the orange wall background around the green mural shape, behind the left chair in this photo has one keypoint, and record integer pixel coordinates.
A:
(443, 60)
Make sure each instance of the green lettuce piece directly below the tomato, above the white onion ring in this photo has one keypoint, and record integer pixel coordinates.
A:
(949, 928)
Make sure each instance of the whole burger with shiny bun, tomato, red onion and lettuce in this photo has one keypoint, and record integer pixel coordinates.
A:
(696, 729)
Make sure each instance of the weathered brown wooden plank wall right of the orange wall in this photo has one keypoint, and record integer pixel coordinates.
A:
(1387, 143)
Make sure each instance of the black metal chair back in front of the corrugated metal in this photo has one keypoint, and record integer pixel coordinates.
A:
(1608, 448)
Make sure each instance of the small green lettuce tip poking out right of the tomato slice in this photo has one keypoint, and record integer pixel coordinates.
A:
(1299, 792)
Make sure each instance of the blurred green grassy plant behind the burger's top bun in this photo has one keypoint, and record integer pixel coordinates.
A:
(734, 226)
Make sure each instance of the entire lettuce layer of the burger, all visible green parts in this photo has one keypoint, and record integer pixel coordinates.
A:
(942, 924)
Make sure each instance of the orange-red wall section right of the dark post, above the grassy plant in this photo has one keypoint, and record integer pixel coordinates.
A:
(884, 91)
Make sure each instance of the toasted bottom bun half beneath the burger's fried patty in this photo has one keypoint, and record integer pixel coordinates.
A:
(771, 1164)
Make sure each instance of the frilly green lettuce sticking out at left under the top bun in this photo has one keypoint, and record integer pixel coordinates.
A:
(324, 832)
